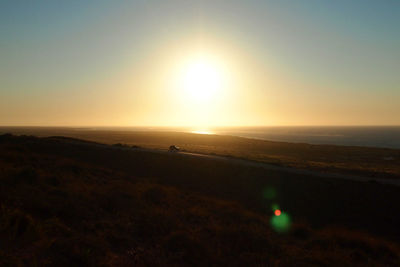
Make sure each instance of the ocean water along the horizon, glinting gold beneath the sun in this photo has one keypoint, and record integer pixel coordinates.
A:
(379, 136)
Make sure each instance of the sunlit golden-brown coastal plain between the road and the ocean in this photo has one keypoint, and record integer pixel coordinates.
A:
(366, 161)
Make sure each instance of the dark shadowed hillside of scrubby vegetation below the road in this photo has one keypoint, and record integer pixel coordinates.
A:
(66, 202)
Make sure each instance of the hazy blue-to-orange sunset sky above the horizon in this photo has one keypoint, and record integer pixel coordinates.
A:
(199, 63)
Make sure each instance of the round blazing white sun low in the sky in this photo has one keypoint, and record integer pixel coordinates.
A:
(202, 79)
